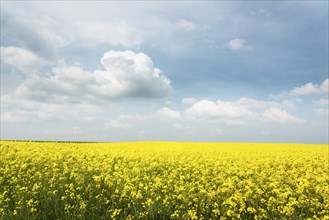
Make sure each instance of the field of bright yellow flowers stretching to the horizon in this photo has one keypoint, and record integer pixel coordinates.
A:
(163, 180)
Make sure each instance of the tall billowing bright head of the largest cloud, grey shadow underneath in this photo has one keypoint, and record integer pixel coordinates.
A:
(132, 74)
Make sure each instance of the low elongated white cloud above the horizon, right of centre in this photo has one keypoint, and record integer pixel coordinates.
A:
(241, 111)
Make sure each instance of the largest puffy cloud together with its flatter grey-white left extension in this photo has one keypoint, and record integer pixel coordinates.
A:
(125, 74)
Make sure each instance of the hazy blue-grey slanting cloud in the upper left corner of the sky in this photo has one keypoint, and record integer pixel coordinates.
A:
(38, 33)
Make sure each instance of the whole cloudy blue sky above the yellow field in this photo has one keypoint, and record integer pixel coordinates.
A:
(212, 71)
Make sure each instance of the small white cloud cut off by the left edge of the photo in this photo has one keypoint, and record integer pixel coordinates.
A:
(24, 60)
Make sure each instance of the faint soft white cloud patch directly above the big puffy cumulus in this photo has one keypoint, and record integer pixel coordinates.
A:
(115, 33)
